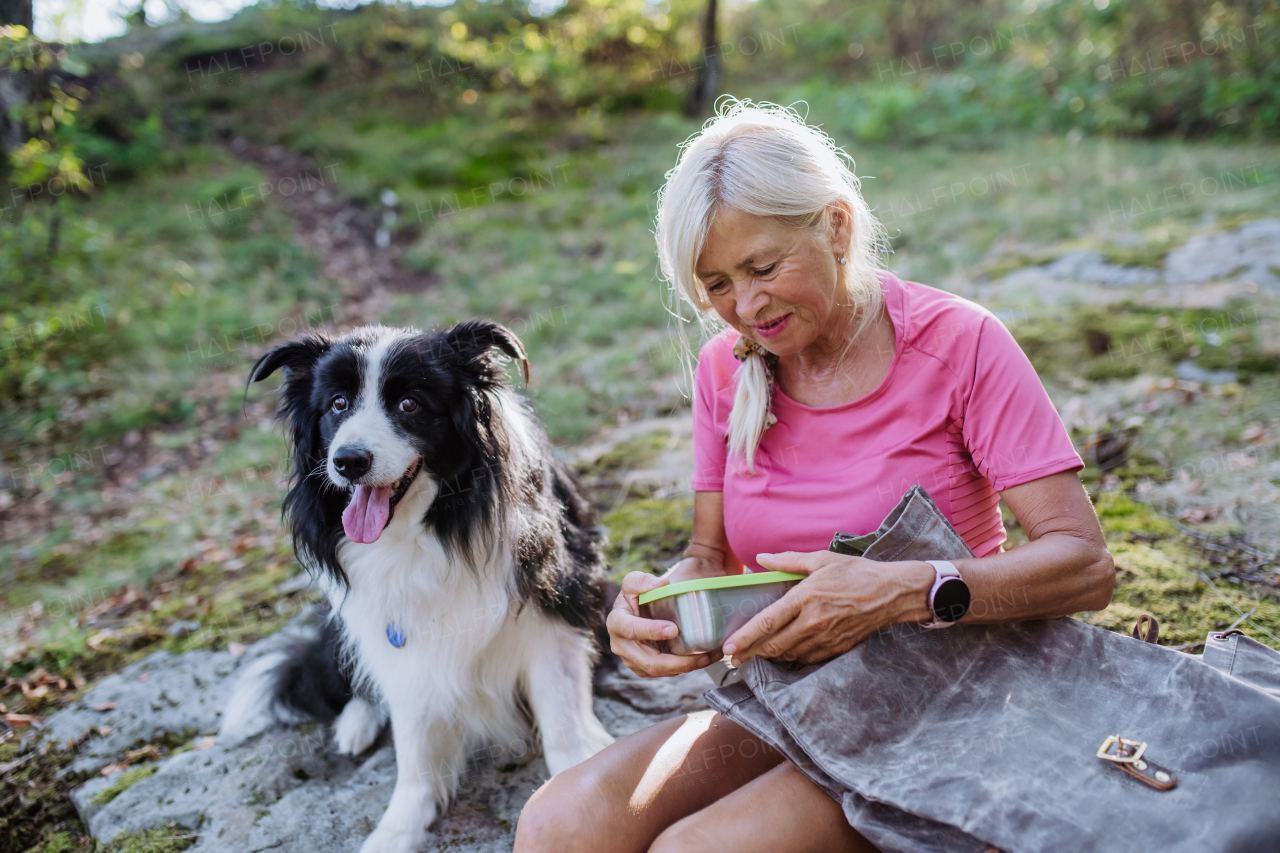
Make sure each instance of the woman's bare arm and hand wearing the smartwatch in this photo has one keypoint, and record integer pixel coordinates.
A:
(1064, 569)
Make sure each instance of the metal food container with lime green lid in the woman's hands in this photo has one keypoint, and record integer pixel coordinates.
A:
(711, 609)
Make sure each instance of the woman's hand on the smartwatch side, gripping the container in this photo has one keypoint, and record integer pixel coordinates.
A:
(844, 601)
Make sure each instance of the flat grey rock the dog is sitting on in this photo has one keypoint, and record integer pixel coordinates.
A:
(287, 791)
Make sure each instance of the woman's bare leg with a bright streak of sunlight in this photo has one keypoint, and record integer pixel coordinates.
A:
(627, 795)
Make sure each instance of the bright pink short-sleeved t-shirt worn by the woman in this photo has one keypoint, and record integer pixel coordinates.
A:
(961, 413)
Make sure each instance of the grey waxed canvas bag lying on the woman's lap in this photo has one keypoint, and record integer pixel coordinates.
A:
(986, 736)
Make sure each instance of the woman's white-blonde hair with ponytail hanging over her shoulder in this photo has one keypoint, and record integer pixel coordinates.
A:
(762, 159)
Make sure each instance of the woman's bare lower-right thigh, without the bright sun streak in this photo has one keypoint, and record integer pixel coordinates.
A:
(780, 811)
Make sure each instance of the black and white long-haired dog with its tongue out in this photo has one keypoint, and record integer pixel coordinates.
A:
(459, 559)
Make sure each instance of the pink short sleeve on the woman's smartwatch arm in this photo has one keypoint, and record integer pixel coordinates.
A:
(1011, 427)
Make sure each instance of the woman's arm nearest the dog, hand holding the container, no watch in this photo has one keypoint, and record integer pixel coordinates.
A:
(708, 556)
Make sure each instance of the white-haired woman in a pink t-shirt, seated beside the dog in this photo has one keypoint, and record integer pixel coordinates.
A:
(834, 389)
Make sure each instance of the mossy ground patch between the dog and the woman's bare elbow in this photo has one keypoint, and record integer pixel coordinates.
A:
(648, 533)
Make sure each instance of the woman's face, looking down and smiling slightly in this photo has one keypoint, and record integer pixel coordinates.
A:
(778, 285)
